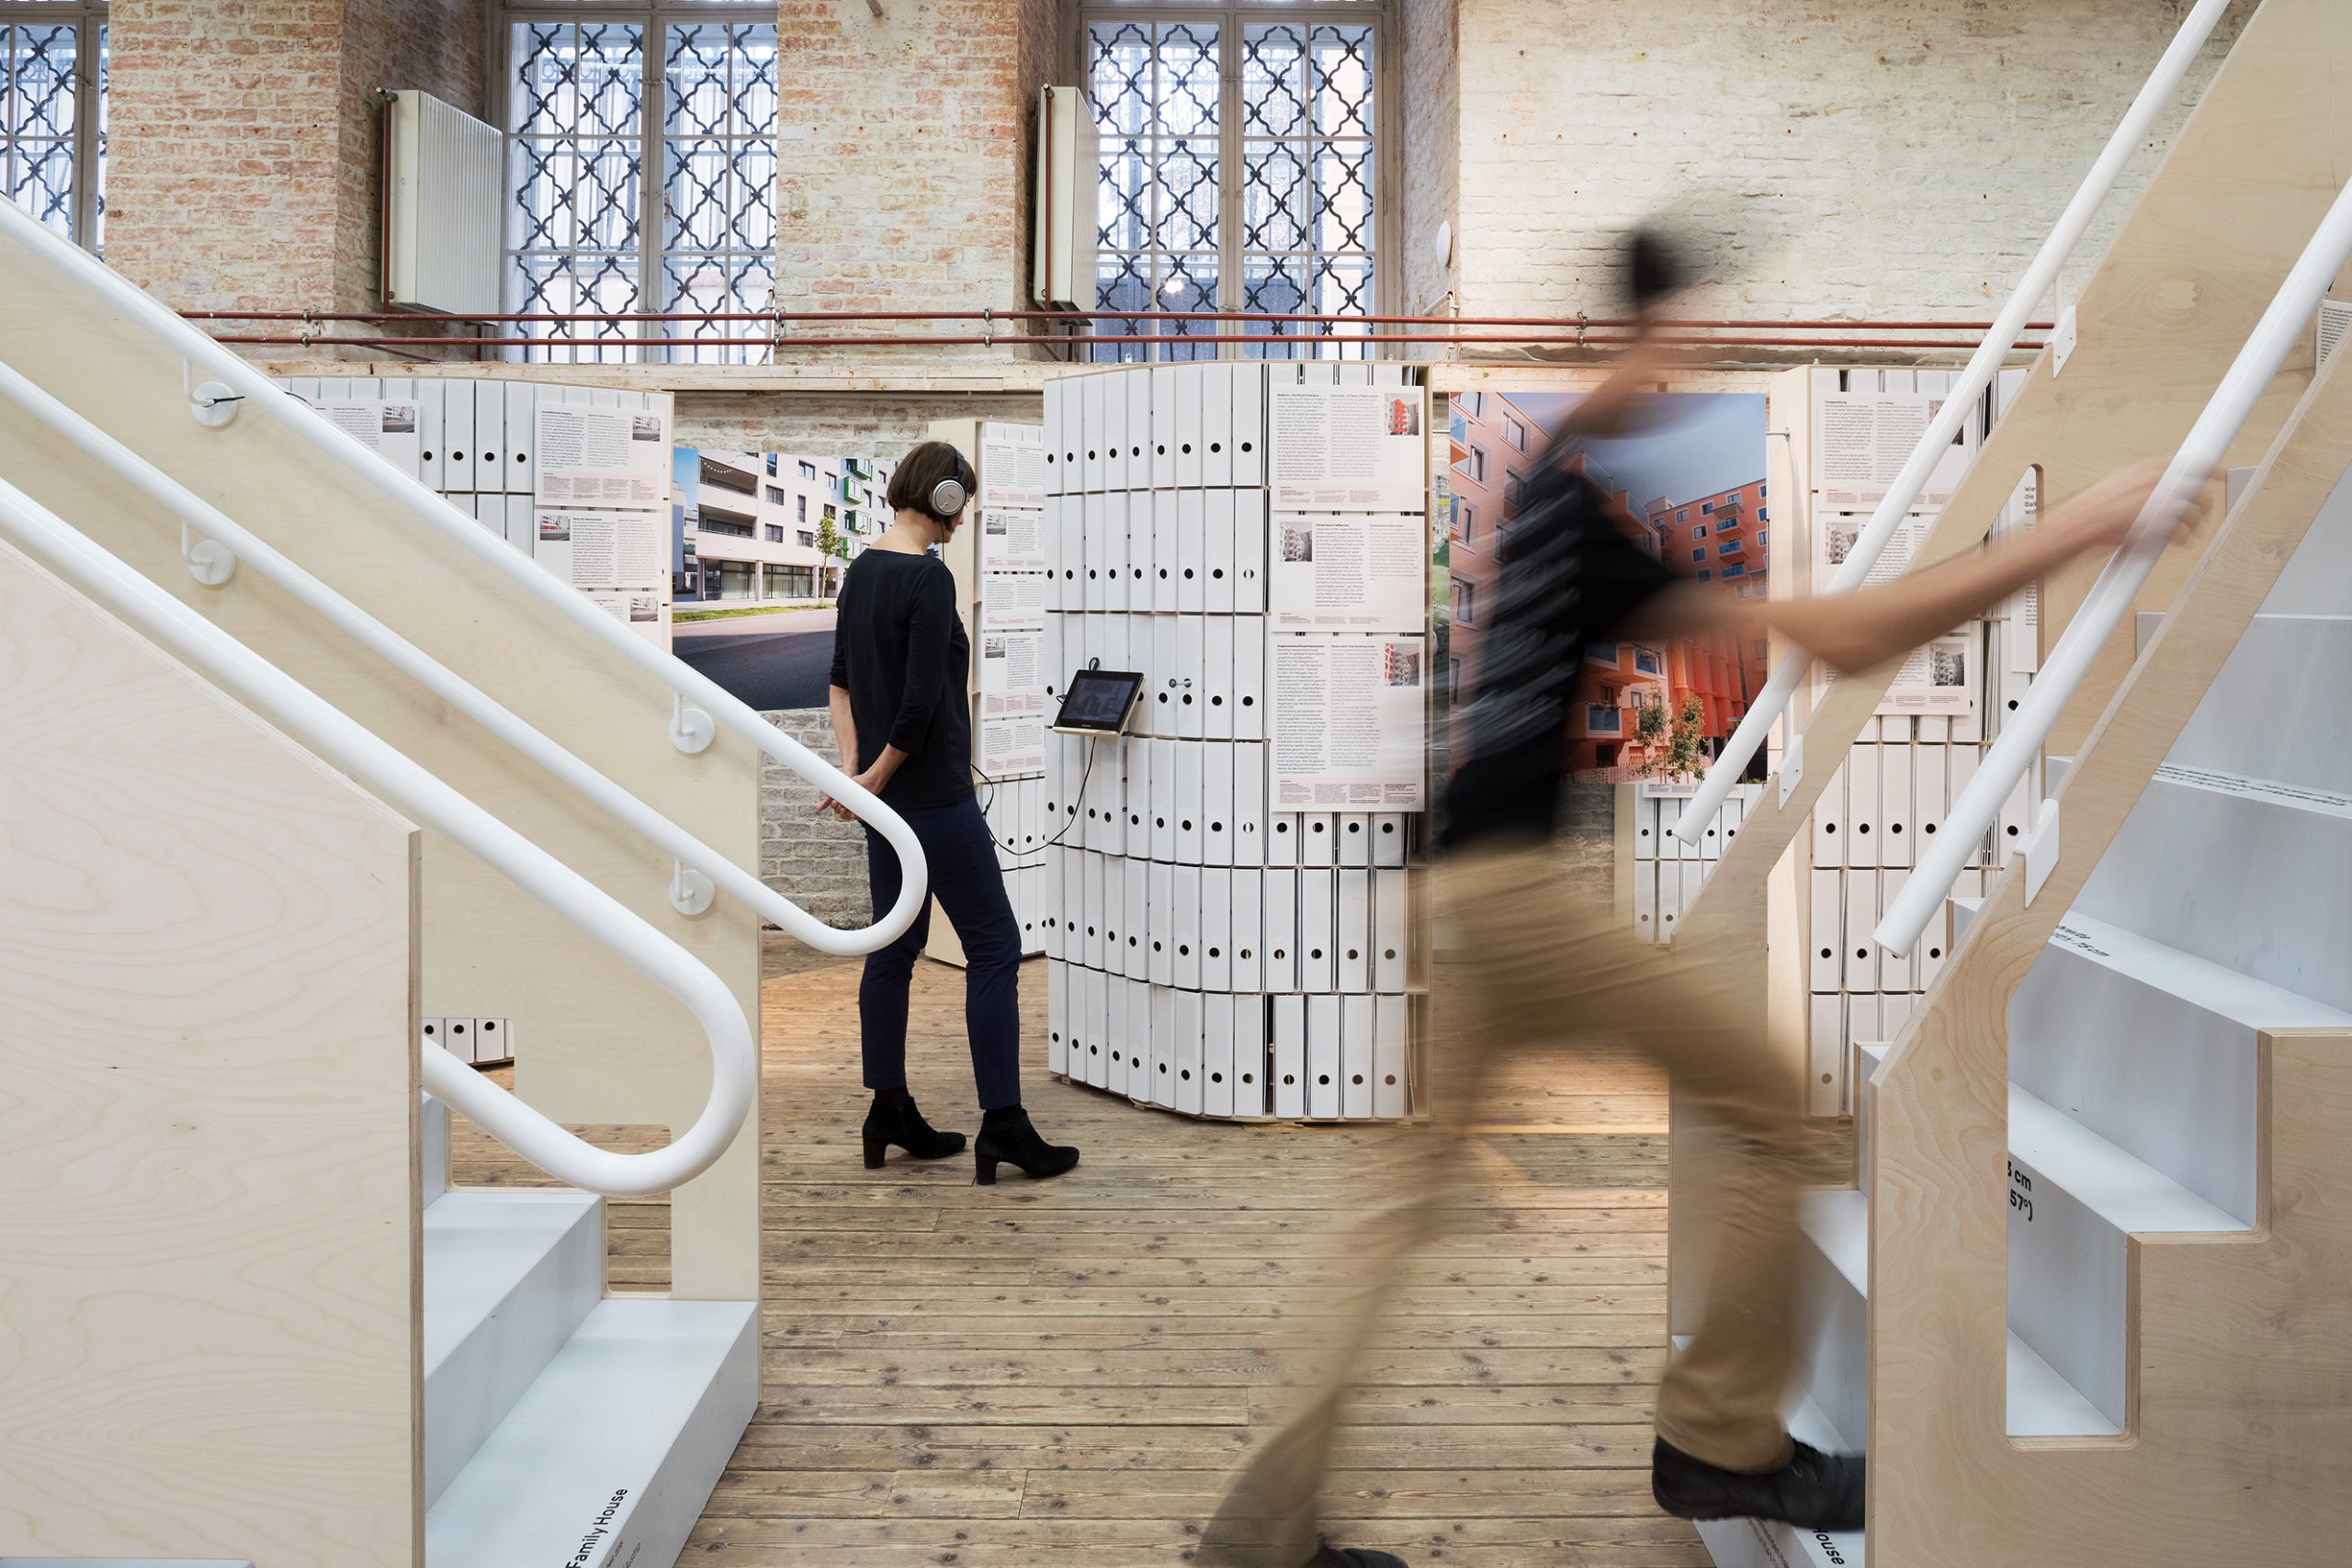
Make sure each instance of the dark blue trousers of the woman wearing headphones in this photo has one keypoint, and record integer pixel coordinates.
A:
(970, 887)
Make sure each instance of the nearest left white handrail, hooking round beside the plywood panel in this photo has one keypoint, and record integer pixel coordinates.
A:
(410, 789)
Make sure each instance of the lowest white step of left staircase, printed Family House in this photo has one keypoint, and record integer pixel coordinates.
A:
(615, 1449)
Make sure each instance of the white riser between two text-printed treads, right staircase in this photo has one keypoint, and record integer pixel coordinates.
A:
(2243, 873)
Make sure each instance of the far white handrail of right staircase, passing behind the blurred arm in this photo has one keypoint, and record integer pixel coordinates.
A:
(2156, 98)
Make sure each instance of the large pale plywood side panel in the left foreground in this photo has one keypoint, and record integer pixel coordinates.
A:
(208, 1200)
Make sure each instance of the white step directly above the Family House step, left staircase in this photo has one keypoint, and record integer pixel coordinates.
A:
(509, 1280)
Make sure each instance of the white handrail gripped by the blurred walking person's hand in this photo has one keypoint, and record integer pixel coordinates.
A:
(2111, 598)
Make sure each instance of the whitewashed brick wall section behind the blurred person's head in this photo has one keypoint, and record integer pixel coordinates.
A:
(1878, 159)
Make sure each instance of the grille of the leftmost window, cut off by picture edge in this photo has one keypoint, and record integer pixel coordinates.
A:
(53, 114)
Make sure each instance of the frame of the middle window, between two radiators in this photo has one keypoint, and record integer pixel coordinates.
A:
(653, 175)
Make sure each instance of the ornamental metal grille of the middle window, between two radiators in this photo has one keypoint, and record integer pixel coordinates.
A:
(641, 175)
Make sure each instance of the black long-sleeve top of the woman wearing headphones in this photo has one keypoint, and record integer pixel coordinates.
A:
(902, 655)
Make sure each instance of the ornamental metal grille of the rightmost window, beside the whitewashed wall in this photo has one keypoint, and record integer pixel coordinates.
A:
(1241, 170)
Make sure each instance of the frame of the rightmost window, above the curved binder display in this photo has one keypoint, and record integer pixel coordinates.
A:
(1387, 156)
